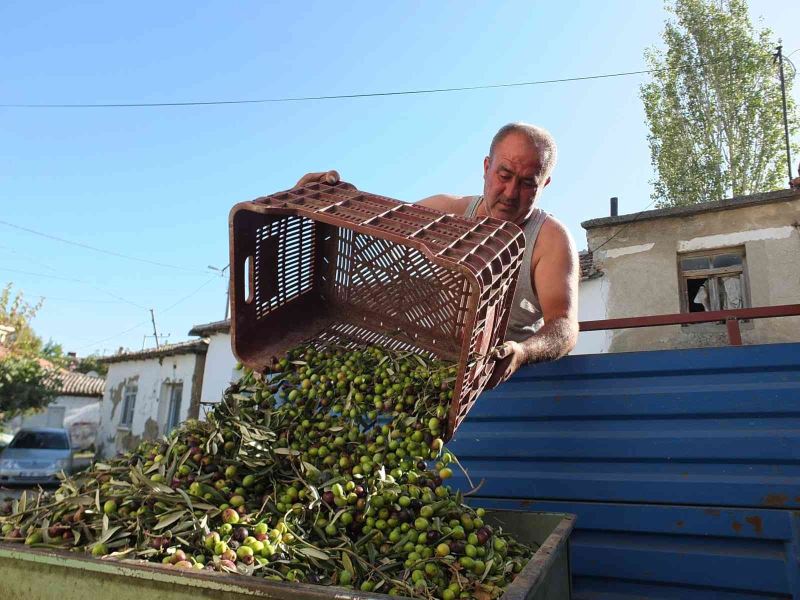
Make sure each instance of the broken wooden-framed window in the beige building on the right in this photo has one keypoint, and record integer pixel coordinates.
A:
(713, 280)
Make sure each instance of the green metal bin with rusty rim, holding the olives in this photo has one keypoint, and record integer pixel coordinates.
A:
(36, 574)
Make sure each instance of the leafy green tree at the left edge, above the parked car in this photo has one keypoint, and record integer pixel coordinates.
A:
(27, 380)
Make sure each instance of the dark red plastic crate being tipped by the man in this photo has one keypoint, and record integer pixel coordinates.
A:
(326, 262)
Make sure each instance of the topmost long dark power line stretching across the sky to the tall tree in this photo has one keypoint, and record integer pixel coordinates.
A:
(342, 96)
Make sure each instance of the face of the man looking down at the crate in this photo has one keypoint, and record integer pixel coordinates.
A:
(512, 179)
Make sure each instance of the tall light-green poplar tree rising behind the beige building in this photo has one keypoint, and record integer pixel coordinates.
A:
(714, 106)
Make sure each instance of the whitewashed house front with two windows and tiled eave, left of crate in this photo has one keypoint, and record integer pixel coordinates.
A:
(148, 393)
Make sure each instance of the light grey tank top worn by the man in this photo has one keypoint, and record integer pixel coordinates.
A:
(526, 313)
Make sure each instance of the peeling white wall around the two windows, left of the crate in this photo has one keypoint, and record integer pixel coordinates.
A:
(152, 377)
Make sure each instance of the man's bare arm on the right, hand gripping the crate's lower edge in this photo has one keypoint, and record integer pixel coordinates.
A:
(554, 272)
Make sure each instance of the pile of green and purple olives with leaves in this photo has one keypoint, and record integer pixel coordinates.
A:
(328, 468)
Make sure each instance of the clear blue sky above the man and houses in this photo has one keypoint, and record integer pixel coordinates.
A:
(157, 183)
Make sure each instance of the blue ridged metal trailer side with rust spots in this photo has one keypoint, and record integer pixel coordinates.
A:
(683, 467)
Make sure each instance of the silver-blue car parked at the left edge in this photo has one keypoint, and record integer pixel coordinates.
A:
(36, 455)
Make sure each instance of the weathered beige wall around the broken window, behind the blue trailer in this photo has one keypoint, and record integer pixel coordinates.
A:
(641, 266)
